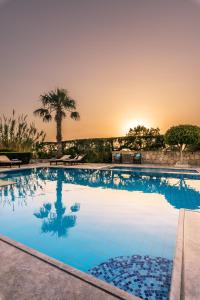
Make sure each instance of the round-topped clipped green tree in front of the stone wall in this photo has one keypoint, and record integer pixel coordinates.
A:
(182, 136)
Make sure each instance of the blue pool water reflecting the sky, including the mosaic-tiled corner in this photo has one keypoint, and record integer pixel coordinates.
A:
(119, 226)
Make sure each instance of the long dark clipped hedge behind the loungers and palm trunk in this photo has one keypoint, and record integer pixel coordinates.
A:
(100, 149)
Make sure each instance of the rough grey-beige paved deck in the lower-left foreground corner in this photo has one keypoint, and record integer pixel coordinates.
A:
(26, 274)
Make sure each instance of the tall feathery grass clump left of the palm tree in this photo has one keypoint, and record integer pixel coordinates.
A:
(17, 134)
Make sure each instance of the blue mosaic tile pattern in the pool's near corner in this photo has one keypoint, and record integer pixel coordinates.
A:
(144, 276)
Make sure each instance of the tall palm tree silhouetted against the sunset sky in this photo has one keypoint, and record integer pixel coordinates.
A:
(57, 104)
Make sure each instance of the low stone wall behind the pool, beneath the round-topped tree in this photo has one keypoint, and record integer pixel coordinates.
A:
(161, 157)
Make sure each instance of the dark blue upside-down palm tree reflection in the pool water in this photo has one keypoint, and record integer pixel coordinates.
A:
(57, 222)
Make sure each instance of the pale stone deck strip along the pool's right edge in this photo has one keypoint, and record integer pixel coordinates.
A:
(186, 273)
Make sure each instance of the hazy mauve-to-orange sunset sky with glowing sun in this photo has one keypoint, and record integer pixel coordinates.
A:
(125, 62)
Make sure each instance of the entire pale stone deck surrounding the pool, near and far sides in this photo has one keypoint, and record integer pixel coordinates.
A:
(28, 274)
